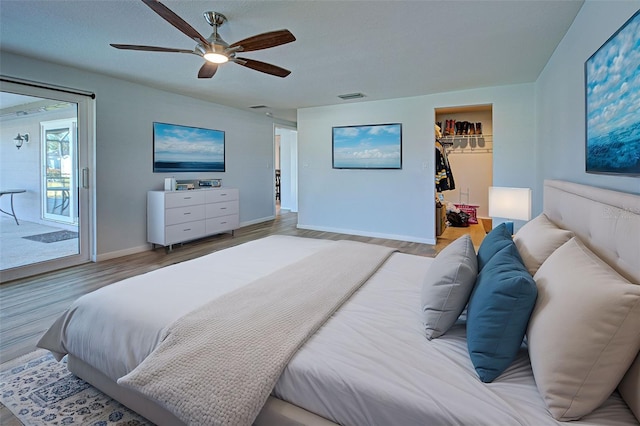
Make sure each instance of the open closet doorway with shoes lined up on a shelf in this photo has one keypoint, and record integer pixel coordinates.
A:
(467, 139)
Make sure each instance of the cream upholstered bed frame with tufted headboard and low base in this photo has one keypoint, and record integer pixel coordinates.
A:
(602, 219)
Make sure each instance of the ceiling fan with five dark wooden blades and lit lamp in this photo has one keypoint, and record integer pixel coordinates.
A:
(214, 49)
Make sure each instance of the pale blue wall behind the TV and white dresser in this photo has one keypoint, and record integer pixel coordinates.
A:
(124, 115)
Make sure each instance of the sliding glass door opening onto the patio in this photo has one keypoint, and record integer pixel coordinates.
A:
(52, 225)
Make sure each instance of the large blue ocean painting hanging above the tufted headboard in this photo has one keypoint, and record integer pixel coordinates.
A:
(613, 103)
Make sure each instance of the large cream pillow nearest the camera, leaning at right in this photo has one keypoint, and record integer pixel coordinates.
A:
(584, 330)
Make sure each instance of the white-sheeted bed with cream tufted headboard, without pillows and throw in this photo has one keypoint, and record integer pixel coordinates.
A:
(370, 363)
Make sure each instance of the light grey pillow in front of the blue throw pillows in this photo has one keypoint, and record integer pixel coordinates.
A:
(447, 286)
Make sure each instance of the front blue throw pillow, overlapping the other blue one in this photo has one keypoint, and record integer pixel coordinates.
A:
(498, 313)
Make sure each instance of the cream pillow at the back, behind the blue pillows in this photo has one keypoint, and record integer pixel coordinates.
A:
(537, 239)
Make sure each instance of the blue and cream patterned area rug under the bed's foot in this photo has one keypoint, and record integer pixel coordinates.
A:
(41, 391)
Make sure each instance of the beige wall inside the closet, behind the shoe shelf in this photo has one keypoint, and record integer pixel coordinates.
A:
(472, 170)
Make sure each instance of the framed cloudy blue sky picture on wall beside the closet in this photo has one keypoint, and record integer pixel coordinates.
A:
(377, 146)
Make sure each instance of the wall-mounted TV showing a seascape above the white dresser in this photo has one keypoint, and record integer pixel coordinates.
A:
(187, 149)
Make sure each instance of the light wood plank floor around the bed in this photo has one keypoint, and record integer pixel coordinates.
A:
(29, 306)
